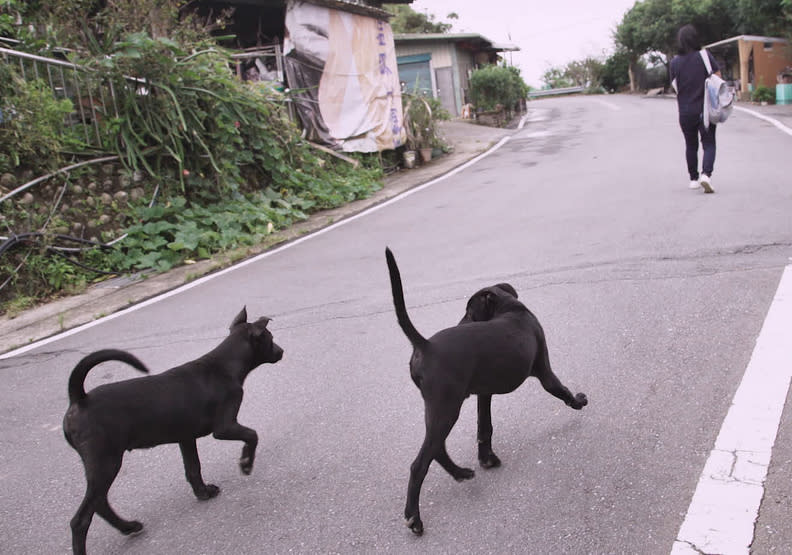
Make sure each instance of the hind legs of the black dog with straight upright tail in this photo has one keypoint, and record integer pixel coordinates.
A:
(439, 422)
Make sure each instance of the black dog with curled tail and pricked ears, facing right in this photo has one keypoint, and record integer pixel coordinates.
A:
(187, 402)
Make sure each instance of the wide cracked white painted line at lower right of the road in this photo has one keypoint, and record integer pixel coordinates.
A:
(725, 505)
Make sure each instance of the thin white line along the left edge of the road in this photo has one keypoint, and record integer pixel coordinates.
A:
(261, 256)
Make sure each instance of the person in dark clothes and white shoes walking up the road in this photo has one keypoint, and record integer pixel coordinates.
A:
(688, 74)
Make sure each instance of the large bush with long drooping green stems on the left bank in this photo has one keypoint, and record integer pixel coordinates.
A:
(206, 129)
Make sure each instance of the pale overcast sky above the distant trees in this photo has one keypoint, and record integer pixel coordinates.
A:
(549, 33)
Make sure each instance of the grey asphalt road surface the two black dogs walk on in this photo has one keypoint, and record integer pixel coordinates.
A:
(651, 296)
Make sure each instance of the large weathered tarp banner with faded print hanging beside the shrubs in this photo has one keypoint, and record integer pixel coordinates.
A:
(344, 68)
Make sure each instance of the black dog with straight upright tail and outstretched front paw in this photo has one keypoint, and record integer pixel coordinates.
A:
(497, 345)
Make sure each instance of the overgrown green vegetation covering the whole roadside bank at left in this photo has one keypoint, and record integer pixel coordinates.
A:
(206, 164)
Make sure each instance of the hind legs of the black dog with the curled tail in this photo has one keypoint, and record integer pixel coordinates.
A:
(100, 471)
